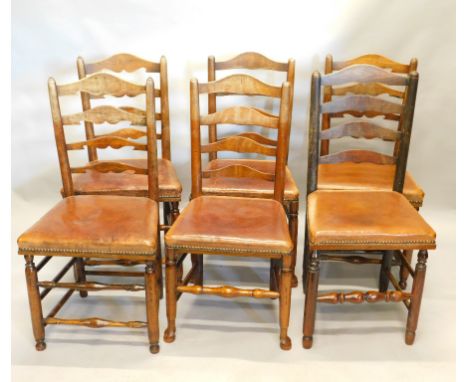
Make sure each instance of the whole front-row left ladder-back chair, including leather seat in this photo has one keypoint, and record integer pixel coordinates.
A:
(105, 227)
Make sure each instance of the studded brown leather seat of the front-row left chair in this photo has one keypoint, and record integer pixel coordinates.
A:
(103, 225)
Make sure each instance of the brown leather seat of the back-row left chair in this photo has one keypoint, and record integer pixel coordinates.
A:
(129, 184)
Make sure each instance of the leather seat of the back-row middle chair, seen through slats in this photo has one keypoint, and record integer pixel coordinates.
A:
(248, 187)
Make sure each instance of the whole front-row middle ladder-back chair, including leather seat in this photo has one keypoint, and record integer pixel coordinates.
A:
(228, 225)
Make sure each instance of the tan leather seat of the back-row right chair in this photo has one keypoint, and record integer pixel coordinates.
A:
(366, 176)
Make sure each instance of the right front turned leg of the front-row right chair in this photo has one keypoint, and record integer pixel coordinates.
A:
(416, 297)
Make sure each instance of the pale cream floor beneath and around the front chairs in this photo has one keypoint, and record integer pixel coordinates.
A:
(226, 340)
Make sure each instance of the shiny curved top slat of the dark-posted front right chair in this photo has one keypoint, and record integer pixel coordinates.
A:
(365, 74)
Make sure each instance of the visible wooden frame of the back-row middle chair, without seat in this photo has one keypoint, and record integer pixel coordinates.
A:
(257, 61)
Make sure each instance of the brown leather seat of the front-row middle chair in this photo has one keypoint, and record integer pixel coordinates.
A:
(229, 224)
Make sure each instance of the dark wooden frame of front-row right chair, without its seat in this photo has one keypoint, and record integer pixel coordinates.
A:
(369, 106)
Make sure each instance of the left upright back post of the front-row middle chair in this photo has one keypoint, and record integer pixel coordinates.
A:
(195, 139)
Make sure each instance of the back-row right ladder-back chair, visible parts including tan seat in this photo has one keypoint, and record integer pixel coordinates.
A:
(367, 176)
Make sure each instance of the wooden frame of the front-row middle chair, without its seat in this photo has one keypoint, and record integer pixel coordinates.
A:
(282, 264)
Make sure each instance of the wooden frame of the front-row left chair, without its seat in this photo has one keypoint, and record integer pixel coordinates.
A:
(97, 85)
